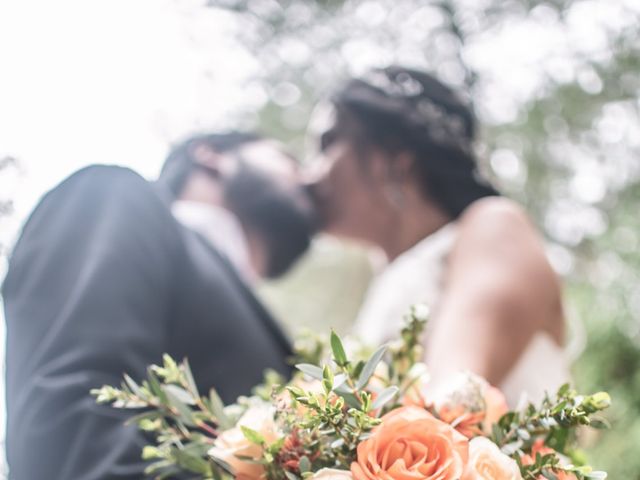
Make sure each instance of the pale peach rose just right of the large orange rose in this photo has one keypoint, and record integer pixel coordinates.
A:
(487, 462)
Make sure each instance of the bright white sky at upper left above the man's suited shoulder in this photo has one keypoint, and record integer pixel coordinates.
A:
(108, 82)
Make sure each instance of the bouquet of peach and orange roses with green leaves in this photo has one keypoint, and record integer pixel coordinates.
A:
(352, 416)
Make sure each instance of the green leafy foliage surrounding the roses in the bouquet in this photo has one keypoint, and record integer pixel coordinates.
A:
(323, 427)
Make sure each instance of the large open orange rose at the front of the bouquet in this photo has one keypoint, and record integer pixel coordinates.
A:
(411, 443)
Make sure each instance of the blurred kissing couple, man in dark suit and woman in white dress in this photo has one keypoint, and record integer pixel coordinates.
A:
(112, 271)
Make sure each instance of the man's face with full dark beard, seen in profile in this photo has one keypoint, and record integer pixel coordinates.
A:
(264, 191)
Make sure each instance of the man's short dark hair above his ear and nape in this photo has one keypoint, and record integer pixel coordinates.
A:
(180, 163)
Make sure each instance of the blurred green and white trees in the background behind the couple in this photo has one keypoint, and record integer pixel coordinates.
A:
(565, 143)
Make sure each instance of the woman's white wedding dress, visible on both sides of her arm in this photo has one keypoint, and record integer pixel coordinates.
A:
(415, 277)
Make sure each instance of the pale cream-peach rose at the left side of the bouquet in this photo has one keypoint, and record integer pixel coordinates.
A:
(232, 443)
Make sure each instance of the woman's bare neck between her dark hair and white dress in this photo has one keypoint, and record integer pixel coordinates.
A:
(411, 225)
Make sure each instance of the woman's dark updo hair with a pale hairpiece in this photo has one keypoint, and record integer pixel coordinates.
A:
(403, 110)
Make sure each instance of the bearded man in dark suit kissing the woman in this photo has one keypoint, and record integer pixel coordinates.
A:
(111, 272)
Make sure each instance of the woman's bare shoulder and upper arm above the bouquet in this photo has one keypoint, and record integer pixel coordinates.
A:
(499, 290)
